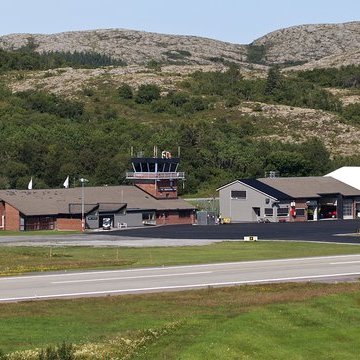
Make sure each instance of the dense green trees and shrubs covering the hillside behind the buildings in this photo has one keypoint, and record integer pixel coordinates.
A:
(49, 137)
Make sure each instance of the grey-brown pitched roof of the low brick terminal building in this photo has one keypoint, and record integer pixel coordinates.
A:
(57, 201)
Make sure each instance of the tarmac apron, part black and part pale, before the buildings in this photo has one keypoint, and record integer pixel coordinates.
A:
(342, 231)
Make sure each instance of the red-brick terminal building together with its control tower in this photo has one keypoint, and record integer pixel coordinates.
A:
(151, 200)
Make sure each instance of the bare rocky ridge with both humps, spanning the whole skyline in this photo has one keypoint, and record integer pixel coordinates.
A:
(293, 45)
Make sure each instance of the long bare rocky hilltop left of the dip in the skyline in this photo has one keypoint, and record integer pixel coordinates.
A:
(134, 47)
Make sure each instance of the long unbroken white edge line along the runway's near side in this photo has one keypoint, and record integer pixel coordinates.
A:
(175, 287)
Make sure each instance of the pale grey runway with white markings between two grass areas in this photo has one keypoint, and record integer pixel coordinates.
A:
(101, 283)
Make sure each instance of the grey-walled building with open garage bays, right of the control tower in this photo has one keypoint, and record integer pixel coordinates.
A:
(288, 199)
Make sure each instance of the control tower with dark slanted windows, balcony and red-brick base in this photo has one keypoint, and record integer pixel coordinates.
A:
(157, 175)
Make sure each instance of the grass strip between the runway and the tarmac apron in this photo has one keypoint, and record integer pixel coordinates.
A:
(17, 260)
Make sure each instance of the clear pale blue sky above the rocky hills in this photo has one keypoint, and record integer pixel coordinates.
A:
(236, 21)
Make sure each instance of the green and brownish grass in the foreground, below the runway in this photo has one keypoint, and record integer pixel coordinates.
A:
(282, 321)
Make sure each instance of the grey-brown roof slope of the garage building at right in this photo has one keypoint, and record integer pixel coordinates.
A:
(310, 187)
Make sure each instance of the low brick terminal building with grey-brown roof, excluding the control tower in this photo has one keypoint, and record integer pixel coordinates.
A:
(62, 208)
